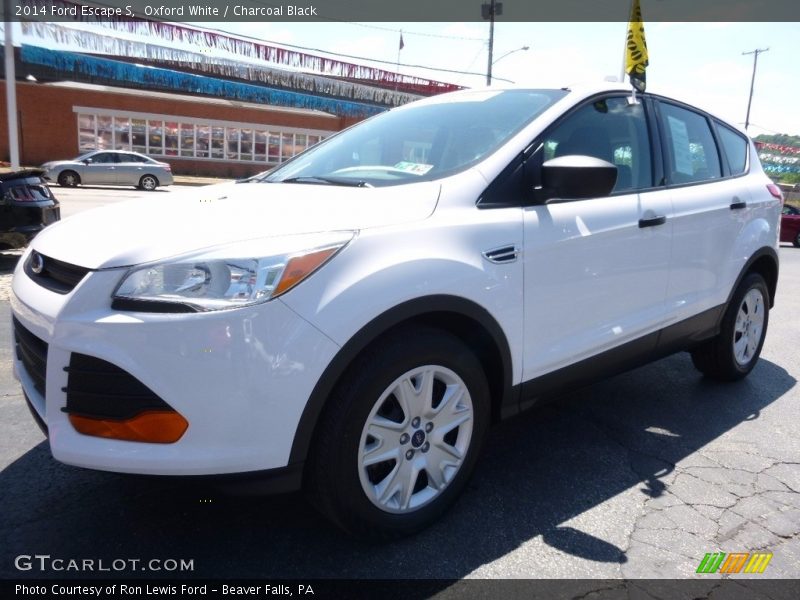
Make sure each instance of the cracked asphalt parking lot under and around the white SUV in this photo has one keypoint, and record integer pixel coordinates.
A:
(637, 476)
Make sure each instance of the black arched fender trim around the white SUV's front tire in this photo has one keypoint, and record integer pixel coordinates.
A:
(427, 306)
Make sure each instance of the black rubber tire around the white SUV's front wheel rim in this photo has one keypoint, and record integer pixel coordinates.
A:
(335, 471)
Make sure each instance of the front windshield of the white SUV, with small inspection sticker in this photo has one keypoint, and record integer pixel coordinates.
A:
(419, 142)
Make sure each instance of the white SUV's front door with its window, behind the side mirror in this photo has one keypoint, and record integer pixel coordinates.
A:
(596, 270)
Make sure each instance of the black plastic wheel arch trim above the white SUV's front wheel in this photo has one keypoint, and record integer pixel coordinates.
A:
(468, 321)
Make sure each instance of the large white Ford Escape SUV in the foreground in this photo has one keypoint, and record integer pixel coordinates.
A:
(354, 320)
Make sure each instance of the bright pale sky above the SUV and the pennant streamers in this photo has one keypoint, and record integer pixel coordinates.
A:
(699, 63)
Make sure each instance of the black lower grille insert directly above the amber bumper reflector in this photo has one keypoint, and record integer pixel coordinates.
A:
(100, 390)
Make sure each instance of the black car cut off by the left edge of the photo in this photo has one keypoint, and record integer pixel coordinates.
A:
(26, 207)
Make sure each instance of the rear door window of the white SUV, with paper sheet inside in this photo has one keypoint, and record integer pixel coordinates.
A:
(691, 150)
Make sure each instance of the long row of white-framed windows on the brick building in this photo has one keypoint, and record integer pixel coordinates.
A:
(189, 138)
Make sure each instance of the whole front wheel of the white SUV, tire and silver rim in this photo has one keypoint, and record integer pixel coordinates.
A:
(401, 435)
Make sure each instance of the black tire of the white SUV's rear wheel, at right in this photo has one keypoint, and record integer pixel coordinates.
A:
(717, 358)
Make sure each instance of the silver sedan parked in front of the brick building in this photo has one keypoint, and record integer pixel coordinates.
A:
(109, 167)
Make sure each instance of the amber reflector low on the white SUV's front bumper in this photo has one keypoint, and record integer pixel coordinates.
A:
(155, 427)
